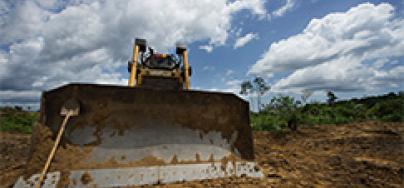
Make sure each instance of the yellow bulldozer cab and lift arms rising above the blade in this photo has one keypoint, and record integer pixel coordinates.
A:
(158, 70)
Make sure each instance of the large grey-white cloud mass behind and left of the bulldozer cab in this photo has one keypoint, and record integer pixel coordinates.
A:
(47, 43)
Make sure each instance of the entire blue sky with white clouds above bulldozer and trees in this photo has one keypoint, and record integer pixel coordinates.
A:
(354, 48)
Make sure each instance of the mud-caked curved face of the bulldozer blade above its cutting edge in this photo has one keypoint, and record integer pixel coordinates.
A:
(126, 125)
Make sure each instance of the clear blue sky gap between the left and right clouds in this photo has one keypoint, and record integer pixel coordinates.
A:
(224, 59)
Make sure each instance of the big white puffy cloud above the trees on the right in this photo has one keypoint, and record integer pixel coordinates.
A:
(344, 51)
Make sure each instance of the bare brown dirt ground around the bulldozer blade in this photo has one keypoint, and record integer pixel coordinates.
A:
(369, 154)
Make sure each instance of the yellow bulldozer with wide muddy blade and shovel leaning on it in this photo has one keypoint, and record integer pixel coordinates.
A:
(155, 130)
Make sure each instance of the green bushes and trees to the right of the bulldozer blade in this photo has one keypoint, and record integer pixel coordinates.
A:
(286, 112)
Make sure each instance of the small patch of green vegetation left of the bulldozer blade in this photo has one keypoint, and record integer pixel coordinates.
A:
(16, 120)
